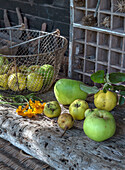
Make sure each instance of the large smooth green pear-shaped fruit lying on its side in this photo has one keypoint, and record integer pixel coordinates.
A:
(67, 90)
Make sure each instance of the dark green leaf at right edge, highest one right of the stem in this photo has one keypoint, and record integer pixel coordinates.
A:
(117, 77)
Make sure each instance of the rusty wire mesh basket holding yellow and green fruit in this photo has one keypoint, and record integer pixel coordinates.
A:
(29, 59)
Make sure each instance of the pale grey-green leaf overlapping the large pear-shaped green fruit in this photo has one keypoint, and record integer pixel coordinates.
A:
(89, 90)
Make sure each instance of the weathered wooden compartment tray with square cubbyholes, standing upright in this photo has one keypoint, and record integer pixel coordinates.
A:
(100, 47)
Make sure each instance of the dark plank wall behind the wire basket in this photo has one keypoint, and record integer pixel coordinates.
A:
(54, 12)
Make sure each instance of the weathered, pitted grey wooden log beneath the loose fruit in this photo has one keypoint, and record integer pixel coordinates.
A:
(41, 139)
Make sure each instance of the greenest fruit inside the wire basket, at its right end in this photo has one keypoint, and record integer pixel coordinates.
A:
(47, 72)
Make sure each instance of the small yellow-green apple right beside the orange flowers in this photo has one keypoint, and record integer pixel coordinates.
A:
(52, 109)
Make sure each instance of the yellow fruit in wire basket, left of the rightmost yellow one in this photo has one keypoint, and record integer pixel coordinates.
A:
(17, 82)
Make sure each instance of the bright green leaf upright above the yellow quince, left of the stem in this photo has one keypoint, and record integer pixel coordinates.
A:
(98, 77)
